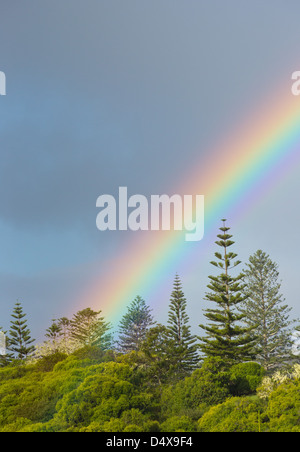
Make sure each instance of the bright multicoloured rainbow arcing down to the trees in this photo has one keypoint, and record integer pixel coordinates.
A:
(237, 171)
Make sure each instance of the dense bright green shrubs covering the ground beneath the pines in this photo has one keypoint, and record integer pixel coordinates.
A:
(86, 395)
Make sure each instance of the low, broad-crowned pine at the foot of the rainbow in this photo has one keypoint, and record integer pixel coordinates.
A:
(88, 329)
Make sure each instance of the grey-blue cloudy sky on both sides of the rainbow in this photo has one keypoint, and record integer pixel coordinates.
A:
(109, 93)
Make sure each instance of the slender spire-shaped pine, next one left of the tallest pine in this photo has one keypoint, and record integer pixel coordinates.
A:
(183, 350)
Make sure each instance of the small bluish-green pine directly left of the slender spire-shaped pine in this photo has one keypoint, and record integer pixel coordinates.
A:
(134, 325)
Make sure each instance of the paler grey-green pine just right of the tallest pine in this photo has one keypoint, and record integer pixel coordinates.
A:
(266, 312)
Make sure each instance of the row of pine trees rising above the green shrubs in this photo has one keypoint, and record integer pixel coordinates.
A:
(248, 320)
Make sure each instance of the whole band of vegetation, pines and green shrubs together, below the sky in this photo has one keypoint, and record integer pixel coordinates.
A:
(155, 377)
